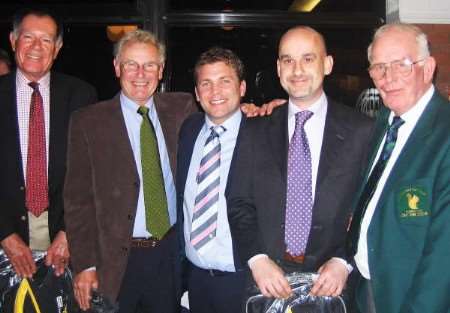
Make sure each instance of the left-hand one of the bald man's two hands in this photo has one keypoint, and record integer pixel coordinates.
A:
(269, 278)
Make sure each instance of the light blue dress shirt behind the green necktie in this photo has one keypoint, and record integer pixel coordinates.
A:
(133, 122)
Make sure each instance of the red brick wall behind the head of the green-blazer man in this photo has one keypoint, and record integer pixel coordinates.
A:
(439, 38)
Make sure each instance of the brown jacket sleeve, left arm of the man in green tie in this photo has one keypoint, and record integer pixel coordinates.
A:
(79, 198)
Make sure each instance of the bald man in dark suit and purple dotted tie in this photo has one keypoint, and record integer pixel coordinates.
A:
(299, 169)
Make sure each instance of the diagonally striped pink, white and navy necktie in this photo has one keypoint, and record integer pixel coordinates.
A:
(204, 219)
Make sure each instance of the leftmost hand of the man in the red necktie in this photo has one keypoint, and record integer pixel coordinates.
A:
(19, 255)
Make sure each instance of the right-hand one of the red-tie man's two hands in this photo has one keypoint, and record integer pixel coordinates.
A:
(58, 253)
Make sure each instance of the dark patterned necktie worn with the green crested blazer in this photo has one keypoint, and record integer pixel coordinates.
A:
(372, 183)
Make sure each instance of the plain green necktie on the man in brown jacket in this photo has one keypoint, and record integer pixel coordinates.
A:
(156, 214)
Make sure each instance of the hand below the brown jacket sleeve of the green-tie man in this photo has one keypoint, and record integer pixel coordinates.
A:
(83, 284)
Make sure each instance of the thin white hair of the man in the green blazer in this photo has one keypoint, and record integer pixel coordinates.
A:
(421, 38)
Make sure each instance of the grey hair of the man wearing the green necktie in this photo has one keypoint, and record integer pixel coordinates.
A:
(140, 36)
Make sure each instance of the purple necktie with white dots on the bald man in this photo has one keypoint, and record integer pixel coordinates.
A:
(299, 189)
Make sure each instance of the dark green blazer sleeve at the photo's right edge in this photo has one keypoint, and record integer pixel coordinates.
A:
(430, 287)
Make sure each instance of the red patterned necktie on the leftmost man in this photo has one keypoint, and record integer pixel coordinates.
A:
(36, 194)
